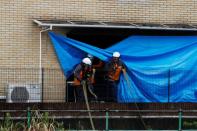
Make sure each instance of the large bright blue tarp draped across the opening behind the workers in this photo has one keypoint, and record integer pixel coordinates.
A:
(159, 68)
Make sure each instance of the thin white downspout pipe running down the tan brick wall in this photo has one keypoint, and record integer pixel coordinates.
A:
(40, 56)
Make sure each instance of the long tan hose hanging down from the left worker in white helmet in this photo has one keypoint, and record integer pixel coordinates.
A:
(87, 104)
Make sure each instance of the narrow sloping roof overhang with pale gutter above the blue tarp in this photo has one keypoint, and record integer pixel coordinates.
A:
(111, 25)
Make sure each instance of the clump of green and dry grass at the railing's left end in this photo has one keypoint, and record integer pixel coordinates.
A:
(39, 122)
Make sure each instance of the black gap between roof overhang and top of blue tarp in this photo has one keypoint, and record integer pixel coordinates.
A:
(104, 38)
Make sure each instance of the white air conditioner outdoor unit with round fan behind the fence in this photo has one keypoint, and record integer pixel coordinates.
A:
(23, 93)
